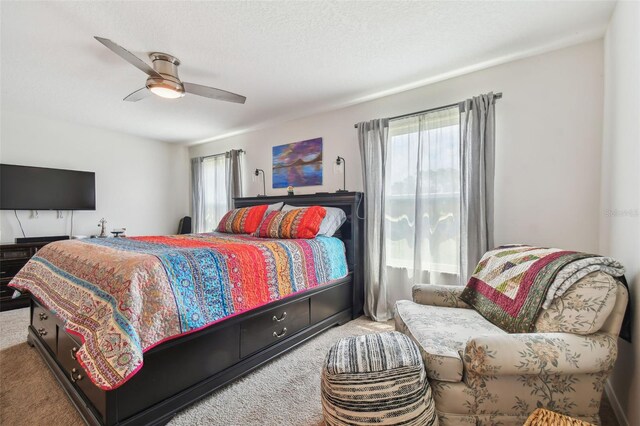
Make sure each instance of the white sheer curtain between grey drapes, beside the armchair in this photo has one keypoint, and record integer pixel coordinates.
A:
(422, 202)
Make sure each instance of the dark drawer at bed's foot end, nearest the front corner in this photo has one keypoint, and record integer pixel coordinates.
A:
(67, 348)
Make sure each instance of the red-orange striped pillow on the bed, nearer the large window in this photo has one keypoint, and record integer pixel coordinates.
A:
(297, 223)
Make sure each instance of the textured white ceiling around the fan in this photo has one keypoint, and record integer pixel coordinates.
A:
(288, 58)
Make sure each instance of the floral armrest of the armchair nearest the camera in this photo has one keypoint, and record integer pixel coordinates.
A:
(540, 353)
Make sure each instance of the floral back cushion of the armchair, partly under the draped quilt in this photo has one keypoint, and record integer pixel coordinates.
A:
(583, 308)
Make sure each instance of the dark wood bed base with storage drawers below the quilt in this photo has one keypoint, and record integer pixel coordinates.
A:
(182, 371)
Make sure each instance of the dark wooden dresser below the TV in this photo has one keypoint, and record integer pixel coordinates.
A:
(12, 258)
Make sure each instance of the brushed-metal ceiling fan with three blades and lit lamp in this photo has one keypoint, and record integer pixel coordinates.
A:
(163, 78)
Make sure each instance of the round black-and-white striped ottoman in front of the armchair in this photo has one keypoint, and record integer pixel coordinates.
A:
(376, 379)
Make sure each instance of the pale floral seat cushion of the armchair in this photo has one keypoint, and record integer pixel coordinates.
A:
(441, 334)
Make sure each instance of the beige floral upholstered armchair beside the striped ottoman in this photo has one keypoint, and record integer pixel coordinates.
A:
(483, 375)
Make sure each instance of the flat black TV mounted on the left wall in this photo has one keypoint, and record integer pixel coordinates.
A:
(39, 188)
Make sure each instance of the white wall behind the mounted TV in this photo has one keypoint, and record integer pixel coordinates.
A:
(141, 184)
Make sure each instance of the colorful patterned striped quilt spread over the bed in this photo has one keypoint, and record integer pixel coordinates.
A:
(123, 296)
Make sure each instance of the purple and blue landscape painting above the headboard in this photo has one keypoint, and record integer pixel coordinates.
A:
(298, 164)
